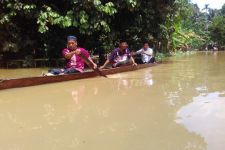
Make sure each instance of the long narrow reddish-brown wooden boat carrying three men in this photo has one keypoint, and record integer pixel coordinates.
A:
(31, 81)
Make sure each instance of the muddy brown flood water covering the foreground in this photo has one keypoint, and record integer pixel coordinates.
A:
(179, 105)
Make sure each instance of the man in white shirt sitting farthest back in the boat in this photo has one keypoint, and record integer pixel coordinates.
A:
(146, 54)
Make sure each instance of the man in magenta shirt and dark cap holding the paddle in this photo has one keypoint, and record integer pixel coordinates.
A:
(74, 62)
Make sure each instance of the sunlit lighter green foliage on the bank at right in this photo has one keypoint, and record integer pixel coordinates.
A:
(188, 28)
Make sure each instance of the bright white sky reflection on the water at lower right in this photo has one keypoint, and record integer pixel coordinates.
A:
(206, 117)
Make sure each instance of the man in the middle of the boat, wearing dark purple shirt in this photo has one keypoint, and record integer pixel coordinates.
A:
(120, 56)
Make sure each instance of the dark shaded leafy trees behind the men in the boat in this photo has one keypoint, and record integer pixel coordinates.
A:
(97, 23)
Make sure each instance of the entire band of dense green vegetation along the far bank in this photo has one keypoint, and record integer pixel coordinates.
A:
(42, 25)
